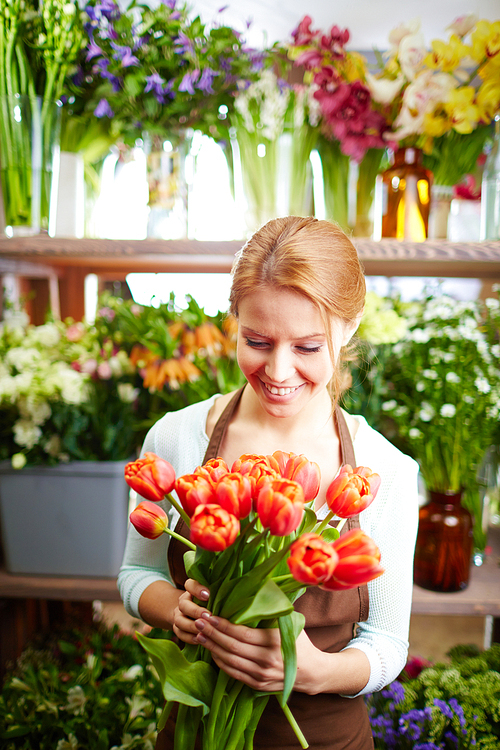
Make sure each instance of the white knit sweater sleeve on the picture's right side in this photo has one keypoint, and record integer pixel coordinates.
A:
(391, 521)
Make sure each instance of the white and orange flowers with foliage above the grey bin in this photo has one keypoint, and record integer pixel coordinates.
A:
(75, 391)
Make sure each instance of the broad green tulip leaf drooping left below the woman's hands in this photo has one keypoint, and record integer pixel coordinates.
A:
(191, 684)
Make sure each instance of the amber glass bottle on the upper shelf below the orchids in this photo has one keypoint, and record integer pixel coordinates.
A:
(405, 197)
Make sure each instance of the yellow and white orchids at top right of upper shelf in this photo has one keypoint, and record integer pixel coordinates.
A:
(441, 100)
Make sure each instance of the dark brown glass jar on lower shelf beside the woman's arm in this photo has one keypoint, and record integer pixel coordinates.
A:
(444, 543)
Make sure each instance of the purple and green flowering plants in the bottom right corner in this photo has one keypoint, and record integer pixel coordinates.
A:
(445, 706)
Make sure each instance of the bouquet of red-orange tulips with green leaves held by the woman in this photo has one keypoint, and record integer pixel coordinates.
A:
(256, 543)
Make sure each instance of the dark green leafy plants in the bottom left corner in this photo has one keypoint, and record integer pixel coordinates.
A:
(89, 687)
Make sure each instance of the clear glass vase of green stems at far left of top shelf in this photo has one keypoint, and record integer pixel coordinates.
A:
(29, 149)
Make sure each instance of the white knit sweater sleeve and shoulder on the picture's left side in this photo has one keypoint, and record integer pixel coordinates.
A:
(180, 438)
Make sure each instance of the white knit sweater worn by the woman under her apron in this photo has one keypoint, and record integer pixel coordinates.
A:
(391, 521)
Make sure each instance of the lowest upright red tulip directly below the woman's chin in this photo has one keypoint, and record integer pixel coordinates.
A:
(280, 505)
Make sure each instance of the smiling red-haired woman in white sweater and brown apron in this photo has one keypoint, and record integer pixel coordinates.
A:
(298, 294)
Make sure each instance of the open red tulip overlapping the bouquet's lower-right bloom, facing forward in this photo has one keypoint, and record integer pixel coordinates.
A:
(312, 560)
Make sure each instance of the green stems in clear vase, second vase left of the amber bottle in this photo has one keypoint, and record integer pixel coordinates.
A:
(335, 166)
